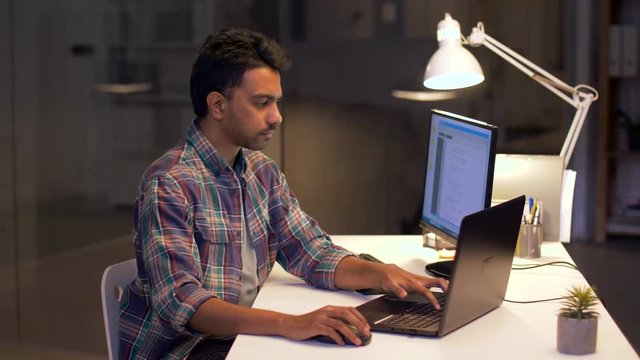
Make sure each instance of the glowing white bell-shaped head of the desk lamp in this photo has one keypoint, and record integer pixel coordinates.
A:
(451, 66)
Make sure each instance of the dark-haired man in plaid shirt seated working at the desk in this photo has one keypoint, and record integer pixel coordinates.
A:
(213, 215)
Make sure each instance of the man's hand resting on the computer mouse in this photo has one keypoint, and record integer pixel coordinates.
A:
(330, 321)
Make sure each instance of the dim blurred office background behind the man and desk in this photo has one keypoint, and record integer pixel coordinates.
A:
(91, 92)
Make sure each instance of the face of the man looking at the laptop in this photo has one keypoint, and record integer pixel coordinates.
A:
(253, 112)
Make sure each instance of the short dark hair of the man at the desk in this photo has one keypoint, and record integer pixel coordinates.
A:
(225, 57)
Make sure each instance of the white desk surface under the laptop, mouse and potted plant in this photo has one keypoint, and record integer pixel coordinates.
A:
(512, 331)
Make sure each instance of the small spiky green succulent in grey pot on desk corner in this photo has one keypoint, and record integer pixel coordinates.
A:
(578, 322)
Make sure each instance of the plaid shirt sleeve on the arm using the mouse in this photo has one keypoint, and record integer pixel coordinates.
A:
(171, 257)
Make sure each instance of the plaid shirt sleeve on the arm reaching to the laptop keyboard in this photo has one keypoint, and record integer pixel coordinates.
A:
(305, 250)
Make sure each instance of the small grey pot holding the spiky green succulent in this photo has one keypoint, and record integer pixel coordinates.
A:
(577, 336)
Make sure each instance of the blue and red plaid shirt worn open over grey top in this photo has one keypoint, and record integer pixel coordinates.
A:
(187, 239)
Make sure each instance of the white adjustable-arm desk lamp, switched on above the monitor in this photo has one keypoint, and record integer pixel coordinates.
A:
(454, 67)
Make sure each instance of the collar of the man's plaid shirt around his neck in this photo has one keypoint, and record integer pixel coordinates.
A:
(210, 156)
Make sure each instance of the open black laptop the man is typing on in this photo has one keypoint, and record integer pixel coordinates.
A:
(479, 278)
